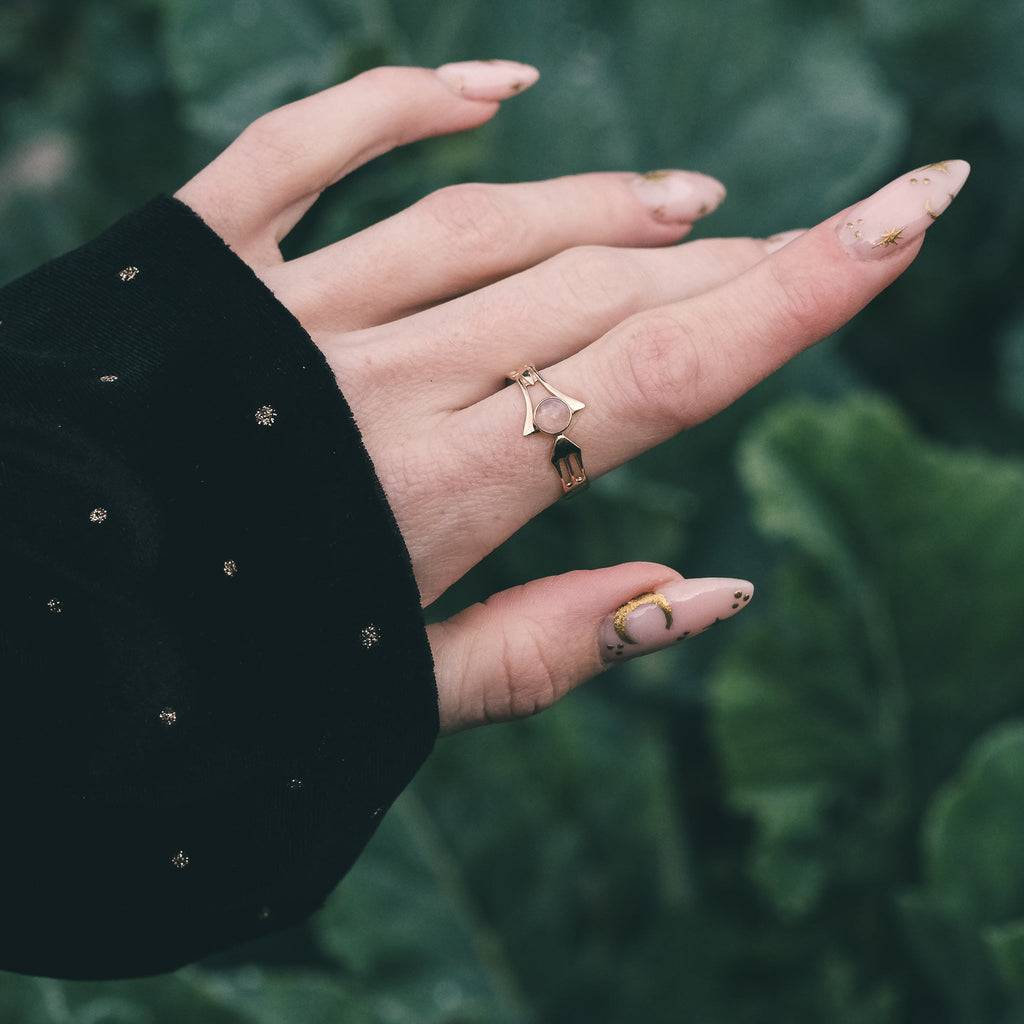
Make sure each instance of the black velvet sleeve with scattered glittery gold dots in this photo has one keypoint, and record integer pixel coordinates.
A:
(215, 676)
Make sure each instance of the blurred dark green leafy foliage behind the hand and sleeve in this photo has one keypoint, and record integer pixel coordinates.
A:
(812, 816)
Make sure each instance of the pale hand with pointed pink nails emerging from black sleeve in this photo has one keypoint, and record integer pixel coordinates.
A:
(422, 316)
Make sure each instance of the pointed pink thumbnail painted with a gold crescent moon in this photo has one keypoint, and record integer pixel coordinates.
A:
(673, 614)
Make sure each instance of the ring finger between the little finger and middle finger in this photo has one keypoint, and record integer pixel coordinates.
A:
(462, 238)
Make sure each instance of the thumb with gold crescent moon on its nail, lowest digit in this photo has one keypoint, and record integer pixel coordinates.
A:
(523, 650)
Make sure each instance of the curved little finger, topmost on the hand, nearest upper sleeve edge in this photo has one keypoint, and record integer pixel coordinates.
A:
(262, 185)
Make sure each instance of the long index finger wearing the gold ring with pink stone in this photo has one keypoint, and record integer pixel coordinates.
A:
(670, 369)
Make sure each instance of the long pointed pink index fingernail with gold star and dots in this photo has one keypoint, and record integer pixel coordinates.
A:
(903, 211)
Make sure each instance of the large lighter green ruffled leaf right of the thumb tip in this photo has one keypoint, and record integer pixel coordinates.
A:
(845, 699)
